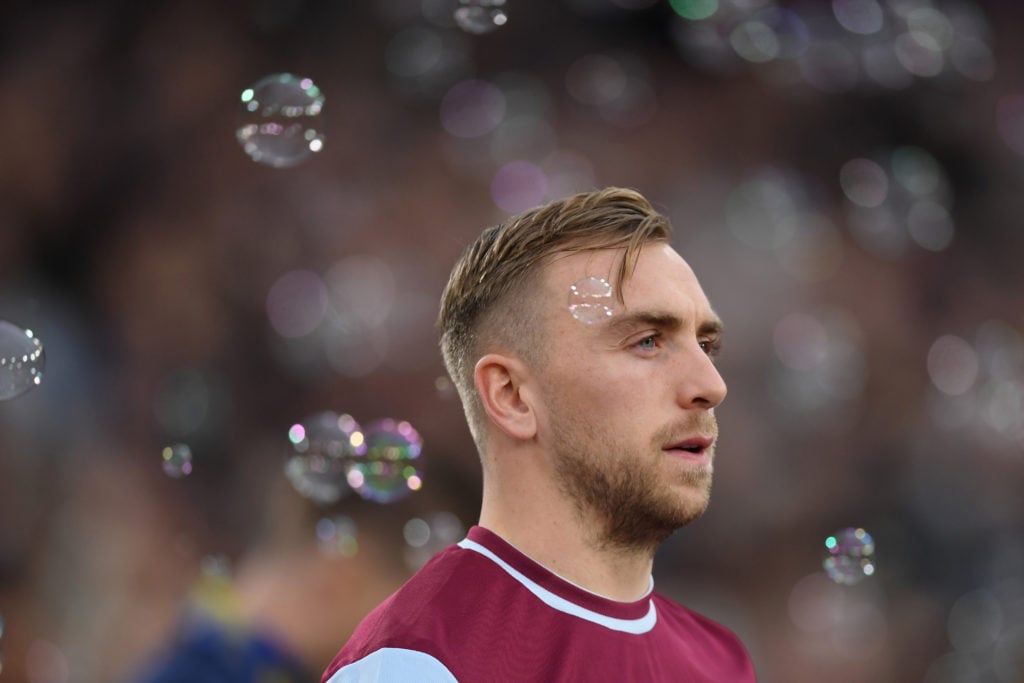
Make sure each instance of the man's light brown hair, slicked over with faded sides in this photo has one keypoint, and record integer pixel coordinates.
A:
(486, 305)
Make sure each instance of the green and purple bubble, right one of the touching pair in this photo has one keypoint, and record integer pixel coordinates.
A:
(387, 471)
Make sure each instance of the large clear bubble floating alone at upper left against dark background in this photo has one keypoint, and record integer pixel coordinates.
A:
(281, 124)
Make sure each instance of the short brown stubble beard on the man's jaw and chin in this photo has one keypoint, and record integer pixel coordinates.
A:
(636, 509)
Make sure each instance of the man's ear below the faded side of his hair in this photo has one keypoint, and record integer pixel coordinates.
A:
(501, 383)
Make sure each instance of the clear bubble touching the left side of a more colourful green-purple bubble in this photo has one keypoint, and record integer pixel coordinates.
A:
(322, 446)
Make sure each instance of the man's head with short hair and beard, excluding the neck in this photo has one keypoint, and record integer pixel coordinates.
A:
(619, 406)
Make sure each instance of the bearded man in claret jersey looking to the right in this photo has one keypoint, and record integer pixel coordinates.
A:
(581, 346)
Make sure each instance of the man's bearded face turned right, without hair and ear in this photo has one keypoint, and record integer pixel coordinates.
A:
(628, 402)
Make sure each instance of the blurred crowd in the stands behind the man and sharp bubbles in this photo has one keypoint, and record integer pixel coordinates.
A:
(844, 179)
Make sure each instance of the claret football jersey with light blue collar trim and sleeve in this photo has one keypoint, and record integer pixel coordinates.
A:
(482, 612)
